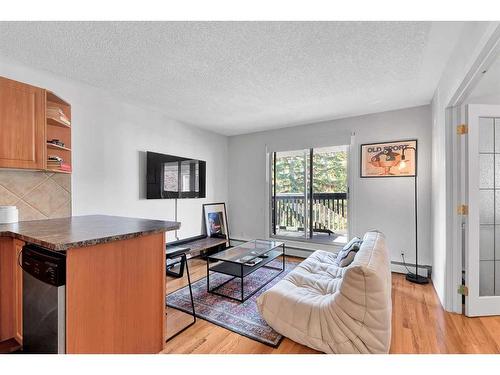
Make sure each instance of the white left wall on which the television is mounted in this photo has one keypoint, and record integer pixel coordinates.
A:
(109, 137)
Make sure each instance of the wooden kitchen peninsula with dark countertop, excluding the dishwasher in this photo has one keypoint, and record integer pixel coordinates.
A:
(115, 280)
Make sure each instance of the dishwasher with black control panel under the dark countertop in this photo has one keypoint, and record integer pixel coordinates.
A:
(44, 300)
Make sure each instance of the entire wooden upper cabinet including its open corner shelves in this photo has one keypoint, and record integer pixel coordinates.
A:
(35, 128)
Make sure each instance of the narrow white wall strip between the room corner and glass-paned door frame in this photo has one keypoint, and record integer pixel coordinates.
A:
(470, 45)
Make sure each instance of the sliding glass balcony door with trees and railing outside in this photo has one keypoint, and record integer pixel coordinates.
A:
(309, 194)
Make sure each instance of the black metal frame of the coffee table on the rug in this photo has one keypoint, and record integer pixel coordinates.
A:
(241, 270)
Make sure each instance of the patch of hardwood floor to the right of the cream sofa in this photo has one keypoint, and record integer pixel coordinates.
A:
(420, 325)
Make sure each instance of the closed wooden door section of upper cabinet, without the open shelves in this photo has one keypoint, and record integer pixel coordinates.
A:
(22, 125)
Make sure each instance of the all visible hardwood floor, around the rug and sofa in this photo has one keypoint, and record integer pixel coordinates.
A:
(419, 325)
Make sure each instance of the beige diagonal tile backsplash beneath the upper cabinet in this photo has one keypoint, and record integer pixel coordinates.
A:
(37, 195)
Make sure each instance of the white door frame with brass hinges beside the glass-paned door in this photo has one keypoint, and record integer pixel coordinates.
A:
(456, 154)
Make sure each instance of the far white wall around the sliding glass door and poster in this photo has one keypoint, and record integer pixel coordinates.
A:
(383, 203)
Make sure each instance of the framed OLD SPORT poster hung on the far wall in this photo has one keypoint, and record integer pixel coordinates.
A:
(389, 159)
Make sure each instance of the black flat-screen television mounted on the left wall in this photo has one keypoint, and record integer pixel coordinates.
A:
(174, 177)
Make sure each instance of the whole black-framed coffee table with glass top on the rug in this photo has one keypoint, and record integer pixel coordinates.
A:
(243, 260)
